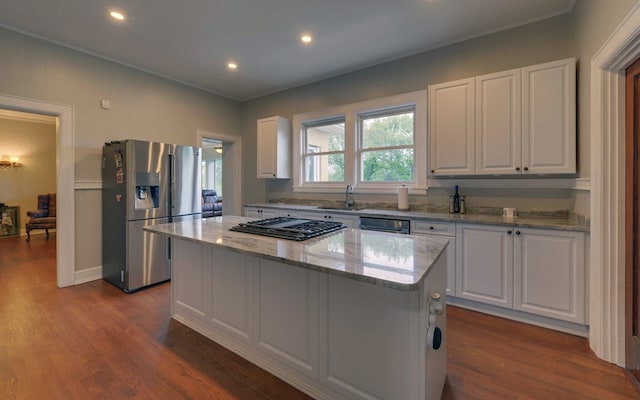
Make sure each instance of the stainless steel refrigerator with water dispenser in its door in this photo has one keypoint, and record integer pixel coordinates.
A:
(144, 183)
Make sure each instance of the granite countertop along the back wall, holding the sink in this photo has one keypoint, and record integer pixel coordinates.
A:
(528, 221)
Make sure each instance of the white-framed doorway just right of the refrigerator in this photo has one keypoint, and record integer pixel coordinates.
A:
(225, 154)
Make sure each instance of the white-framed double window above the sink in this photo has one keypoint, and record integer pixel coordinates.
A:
(376, 146)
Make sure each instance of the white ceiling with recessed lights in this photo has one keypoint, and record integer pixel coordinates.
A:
(191, 41)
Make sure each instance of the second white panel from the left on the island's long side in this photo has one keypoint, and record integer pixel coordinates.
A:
(230, 291)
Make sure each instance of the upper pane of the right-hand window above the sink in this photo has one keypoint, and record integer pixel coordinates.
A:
(388, 130)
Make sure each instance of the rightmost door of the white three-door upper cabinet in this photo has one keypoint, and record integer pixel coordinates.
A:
(549, 118)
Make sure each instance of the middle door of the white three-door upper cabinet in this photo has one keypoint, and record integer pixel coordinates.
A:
(498, 134)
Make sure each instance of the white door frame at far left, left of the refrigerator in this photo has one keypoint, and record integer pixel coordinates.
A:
(65, 177)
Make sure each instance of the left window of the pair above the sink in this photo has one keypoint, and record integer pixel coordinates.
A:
(323, 159)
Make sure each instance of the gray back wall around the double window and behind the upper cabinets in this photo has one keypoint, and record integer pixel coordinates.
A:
(534, 43)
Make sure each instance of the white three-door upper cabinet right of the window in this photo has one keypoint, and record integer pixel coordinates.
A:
(522, 122)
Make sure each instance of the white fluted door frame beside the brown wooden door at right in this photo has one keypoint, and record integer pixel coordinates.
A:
(607, 121)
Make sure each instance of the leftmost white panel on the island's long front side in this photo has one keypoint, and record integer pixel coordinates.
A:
(188, 285)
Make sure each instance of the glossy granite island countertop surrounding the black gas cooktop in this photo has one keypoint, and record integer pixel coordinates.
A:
(394, 261)
